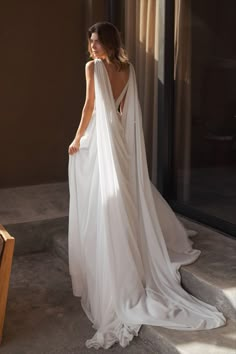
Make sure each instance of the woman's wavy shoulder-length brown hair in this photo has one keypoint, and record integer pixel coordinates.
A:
(110, 39)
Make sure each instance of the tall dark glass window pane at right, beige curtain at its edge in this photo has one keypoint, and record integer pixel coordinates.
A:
(204, 151)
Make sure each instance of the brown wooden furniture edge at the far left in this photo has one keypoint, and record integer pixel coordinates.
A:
(7, 243)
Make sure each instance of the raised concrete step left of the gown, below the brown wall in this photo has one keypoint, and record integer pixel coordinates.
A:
(33, 214)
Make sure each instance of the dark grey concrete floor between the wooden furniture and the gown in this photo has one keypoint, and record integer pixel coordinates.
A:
(43, 317)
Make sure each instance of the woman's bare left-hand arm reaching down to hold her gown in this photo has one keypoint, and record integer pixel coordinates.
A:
(87, 109)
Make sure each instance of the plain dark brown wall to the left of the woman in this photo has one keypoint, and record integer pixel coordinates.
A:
(42, 88)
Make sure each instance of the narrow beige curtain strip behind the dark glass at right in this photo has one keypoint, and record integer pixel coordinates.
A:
(183, 119)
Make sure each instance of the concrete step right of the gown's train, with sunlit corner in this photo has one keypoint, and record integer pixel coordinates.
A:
(212, 278)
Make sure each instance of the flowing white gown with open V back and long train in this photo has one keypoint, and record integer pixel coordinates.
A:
(125, 243)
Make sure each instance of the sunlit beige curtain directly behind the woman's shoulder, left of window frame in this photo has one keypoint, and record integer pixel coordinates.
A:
(141, 42)
